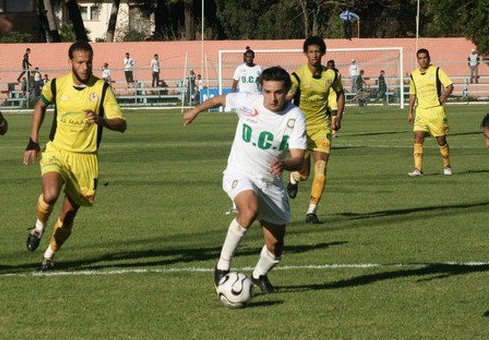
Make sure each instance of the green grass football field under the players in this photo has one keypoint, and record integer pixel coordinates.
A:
(396, 257)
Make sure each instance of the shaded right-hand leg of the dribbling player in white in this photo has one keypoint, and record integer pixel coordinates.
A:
(270, 255)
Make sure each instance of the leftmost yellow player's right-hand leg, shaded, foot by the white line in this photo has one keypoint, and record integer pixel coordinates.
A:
(61, 232)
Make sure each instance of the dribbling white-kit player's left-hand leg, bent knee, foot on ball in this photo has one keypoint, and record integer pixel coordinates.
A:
(247, 206)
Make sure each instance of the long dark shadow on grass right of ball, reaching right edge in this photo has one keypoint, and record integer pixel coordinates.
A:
(436, 270)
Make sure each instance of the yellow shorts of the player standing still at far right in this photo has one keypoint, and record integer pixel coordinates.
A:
(432, 120)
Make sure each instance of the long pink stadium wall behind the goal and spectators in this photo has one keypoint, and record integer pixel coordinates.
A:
(451, 53)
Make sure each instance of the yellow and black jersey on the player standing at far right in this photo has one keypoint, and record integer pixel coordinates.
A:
(426, 86)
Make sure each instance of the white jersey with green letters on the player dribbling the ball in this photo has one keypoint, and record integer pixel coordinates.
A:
(262, 135)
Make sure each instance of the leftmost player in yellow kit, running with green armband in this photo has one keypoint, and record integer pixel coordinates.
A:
(85, 105)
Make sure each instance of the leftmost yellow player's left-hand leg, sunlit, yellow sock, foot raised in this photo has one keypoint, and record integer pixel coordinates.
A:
(52, 182)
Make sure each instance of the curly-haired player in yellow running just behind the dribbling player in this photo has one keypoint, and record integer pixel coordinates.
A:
(311, 86)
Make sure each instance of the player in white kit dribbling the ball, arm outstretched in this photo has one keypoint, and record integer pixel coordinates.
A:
(270, 138)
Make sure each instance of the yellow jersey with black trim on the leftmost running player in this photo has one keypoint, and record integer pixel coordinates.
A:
(73, 132)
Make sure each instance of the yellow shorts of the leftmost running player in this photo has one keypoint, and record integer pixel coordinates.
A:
(79, 170)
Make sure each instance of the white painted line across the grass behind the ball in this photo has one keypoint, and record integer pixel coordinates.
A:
(196, 269)
